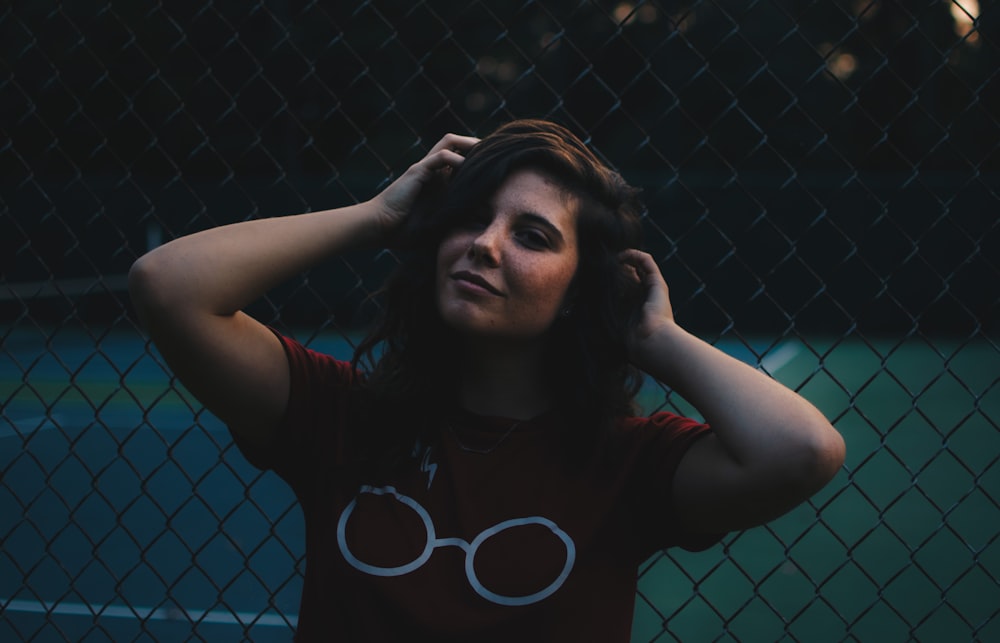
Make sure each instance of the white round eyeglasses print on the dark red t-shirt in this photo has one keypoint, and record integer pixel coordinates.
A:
(470, 548)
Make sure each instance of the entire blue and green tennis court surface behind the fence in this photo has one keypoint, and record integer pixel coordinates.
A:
(97, 444)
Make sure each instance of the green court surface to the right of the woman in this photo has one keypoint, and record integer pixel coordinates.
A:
(902, 545)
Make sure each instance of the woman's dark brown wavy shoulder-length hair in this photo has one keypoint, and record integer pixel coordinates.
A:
(410, 356)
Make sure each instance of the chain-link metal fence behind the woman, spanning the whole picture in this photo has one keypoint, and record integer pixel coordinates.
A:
(823, 188)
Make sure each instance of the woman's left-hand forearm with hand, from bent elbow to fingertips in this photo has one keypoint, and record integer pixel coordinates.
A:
(222, 270)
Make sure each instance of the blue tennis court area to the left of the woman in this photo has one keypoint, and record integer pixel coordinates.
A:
(125, 509)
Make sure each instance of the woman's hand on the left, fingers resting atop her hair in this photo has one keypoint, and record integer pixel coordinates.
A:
(396, 201)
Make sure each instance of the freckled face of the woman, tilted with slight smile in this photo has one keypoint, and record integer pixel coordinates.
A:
(505, 272)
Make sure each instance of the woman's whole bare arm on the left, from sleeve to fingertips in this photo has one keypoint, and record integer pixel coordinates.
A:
(190, 293)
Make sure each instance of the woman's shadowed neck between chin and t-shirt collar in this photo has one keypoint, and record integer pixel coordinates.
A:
(504, 380)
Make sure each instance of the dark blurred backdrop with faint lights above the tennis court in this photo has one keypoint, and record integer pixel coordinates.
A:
(807, 166)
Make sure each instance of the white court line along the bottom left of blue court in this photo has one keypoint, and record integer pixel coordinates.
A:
(148, 613)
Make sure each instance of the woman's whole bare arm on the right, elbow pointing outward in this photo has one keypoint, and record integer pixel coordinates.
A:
(769, 450)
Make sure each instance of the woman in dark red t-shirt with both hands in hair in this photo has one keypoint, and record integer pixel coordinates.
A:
(476, 472)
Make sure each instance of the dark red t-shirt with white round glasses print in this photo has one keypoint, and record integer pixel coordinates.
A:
(463, 546)
